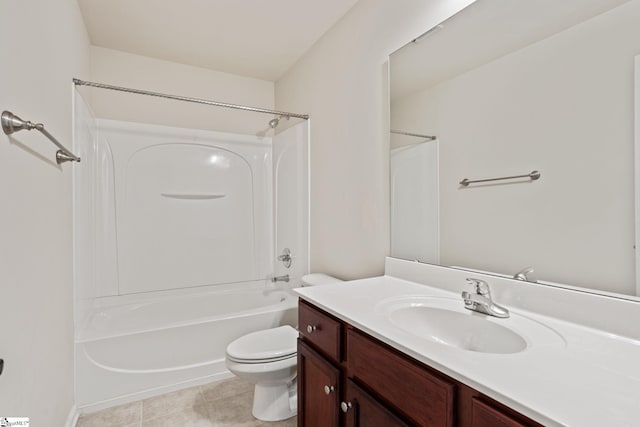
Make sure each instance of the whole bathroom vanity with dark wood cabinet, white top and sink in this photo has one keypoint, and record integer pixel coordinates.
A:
(381, 352)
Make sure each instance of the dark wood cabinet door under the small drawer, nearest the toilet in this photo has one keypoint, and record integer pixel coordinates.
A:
(318, 382)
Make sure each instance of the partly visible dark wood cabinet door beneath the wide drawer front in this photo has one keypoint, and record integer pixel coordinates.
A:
(363, 410)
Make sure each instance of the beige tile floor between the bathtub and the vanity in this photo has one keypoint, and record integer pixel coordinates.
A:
(220, 404)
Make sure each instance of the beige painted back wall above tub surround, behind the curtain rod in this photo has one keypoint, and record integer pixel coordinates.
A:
(140, 72)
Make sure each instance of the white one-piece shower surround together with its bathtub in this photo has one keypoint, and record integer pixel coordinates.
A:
(177, 236)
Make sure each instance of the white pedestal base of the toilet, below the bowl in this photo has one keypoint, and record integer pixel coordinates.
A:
(275, 402)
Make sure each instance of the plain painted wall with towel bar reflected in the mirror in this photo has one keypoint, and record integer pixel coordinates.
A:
(541, 108)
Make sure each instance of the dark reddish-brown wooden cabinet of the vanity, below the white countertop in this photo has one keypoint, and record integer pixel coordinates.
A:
(348, 378)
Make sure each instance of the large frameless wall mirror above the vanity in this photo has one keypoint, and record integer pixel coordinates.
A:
(505, 88)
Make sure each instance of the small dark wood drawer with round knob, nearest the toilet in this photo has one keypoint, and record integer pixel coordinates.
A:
(320, 329)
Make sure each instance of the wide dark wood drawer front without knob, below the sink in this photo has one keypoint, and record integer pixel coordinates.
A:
(421, 396)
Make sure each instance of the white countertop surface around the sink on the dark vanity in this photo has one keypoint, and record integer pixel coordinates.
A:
(592, 378)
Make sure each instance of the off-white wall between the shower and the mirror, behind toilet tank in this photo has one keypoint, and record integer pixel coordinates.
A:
(342, 83)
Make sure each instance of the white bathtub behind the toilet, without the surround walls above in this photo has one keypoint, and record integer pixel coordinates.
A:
(131, 351)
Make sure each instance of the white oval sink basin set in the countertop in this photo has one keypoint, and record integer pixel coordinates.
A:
(446, 321)
